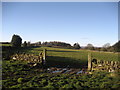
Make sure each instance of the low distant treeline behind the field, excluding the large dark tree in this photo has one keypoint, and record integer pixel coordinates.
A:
(106, 47)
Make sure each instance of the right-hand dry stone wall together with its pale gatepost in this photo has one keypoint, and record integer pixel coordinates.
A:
(102, 65)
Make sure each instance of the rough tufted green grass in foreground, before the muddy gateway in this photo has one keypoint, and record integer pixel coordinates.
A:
(15, 75)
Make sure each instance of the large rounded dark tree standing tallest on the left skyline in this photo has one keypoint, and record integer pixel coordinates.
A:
(16, 41)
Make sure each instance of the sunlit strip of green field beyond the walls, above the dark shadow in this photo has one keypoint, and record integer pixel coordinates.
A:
(76, 54)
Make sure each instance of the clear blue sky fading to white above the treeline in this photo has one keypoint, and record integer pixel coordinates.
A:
(70, 22)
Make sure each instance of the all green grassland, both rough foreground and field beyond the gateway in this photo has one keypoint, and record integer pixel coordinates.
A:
(18, 74)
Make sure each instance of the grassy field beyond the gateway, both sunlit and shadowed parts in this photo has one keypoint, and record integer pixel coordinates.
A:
(74, 58)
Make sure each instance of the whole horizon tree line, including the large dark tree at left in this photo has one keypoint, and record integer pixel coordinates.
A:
(17, 42)
